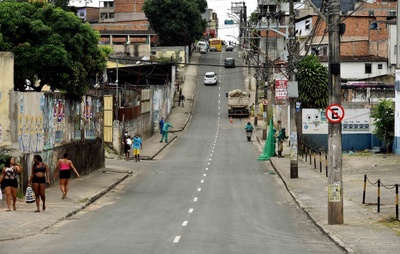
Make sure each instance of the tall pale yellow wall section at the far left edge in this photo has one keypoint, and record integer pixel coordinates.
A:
(6, 85)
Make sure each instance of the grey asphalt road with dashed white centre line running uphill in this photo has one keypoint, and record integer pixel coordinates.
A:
(206, 193)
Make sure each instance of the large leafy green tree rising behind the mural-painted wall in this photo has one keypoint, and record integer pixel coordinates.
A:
(50, 45)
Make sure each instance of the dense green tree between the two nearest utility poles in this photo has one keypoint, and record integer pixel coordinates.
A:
(312, 78)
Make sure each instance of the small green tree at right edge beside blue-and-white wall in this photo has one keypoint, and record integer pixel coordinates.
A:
(383, 114)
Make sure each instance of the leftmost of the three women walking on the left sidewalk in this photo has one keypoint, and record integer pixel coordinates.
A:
(9, 181)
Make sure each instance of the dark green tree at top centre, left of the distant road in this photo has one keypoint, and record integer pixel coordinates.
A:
(176, 22)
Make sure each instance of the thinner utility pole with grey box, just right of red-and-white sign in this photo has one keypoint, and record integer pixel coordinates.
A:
(292, 79)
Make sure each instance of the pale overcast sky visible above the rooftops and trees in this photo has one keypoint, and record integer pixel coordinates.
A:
(221, 7)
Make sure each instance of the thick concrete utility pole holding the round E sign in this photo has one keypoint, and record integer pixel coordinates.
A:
(335, 183)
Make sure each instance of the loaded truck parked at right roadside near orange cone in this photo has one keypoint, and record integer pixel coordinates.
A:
(238, 103)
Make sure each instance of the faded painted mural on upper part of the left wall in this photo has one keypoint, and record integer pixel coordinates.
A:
(47, 120)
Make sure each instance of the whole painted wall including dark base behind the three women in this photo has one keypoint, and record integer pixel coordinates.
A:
(49, 125)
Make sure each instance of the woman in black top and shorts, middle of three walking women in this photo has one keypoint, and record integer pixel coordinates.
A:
(39, 178)
